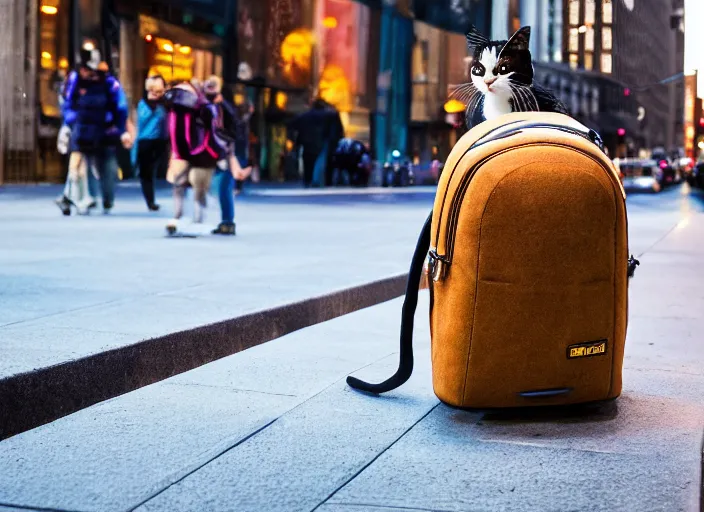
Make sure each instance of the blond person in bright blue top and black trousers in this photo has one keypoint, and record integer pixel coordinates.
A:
(151, 136)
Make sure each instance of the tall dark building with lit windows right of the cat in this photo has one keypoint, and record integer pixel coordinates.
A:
(604, 59)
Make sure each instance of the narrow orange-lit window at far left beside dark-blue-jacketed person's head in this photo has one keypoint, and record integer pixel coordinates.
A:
(53, 56)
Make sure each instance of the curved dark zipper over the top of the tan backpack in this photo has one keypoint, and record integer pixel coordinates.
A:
(439, 264)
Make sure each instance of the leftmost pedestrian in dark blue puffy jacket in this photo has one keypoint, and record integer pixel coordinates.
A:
(95, 110)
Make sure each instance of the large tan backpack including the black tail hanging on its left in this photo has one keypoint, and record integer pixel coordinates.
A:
(528, 269)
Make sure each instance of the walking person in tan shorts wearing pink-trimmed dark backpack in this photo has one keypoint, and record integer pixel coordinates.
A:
(195, 127)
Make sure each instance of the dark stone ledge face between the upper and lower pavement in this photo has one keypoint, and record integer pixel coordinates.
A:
(34, 398)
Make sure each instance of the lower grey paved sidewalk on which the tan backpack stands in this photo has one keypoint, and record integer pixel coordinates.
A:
(276, 428)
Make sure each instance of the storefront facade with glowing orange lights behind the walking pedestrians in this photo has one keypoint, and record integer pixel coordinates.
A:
(386, 65)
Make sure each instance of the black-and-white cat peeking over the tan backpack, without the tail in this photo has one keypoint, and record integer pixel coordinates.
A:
(502, 79)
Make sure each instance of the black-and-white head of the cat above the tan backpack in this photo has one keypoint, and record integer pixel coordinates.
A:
(496, 64)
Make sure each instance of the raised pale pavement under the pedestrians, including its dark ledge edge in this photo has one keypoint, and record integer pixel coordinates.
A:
(78, 294)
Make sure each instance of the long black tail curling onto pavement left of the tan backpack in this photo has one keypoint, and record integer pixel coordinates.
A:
(405, 367)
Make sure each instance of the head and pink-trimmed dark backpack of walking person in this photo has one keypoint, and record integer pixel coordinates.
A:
(190, 123)
